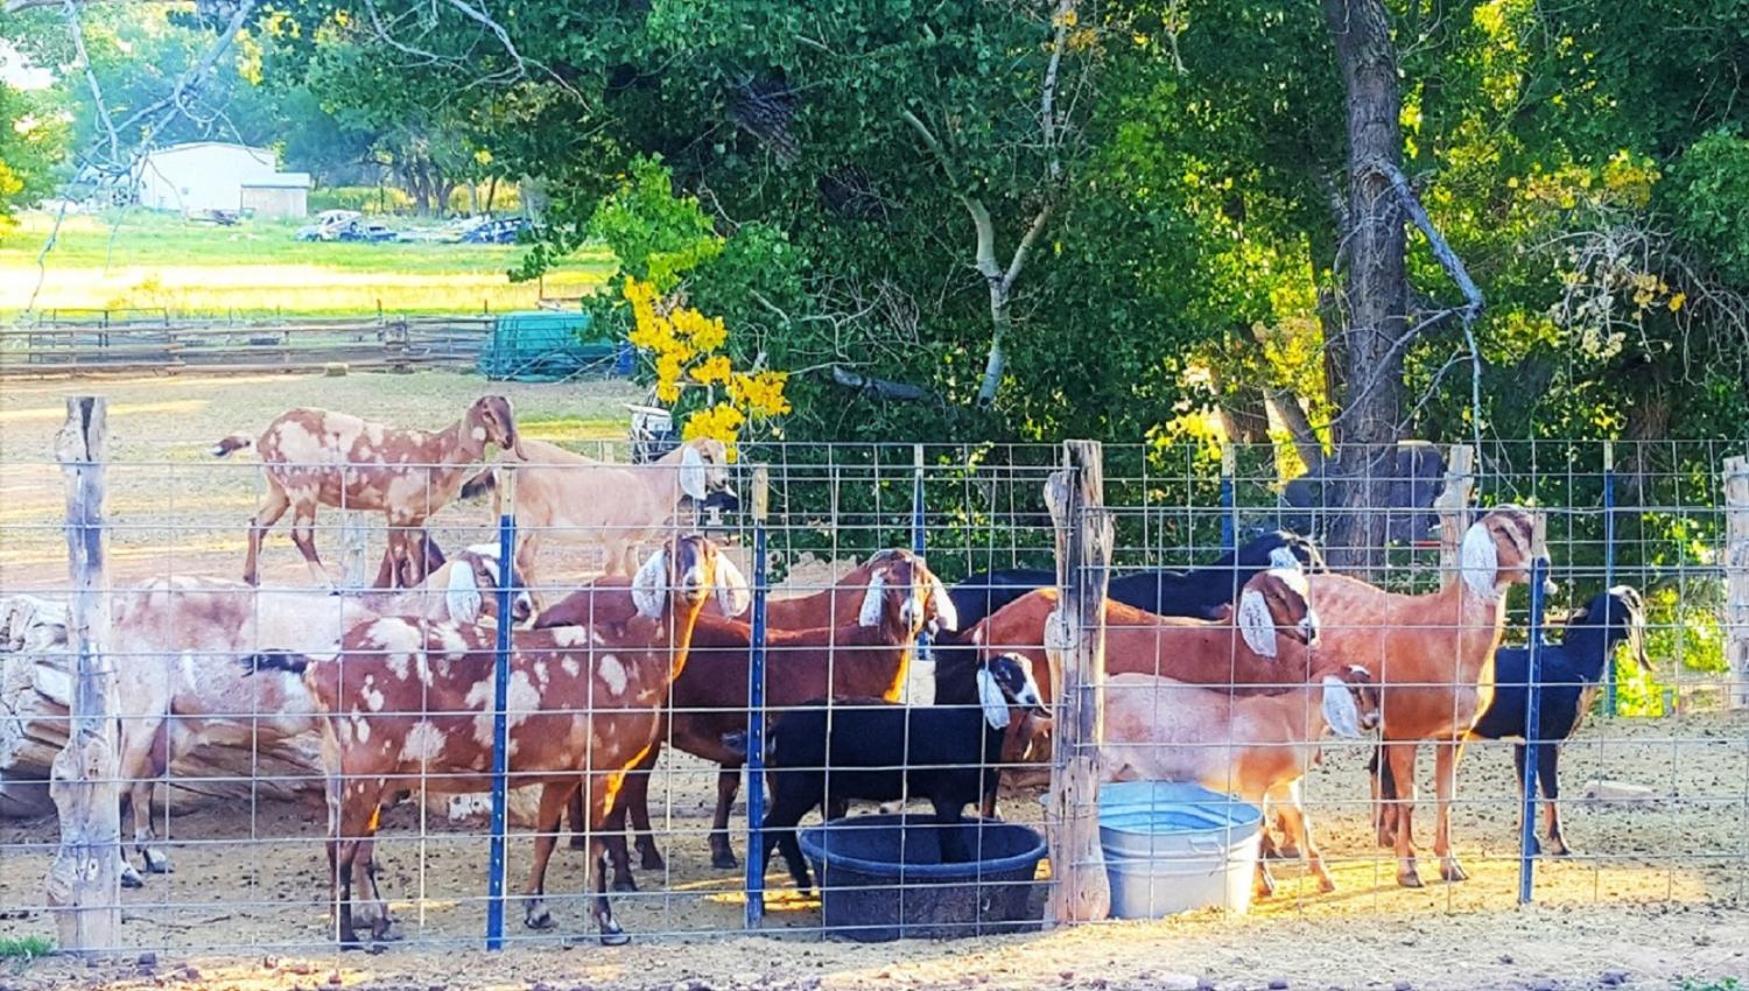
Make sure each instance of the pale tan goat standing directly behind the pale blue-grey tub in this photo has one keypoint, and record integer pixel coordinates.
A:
(1255, 747)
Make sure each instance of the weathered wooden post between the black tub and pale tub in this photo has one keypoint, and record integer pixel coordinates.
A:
(1077, 646)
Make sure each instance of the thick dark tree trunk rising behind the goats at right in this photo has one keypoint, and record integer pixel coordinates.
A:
(1376, 300)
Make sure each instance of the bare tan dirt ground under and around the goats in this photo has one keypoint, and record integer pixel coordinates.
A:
(1655, 899)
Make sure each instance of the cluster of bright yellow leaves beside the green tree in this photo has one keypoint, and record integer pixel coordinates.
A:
(686, 350)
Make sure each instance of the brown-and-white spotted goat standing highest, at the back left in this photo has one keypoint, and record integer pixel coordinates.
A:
(316, 457)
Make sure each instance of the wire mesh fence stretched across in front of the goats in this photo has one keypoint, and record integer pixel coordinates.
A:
(263, 721)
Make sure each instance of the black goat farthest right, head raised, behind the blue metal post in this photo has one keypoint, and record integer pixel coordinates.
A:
(1571, 674)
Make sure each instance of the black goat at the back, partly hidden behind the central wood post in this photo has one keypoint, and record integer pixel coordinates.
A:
(1201, 593)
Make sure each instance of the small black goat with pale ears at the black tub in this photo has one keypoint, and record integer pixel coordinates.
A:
(828, 754)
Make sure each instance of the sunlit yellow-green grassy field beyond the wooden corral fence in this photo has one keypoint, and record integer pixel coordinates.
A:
(153, 261)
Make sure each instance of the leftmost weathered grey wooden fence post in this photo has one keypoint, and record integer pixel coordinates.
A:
(85, 882)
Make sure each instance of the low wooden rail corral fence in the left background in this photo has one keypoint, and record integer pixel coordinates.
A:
(130, 343)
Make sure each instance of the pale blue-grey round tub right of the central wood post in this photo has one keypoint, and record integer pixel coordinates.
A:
(1174, 847)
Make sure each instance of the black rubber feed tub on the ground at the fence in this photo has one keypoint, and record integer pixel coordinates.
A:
(882, 878)
